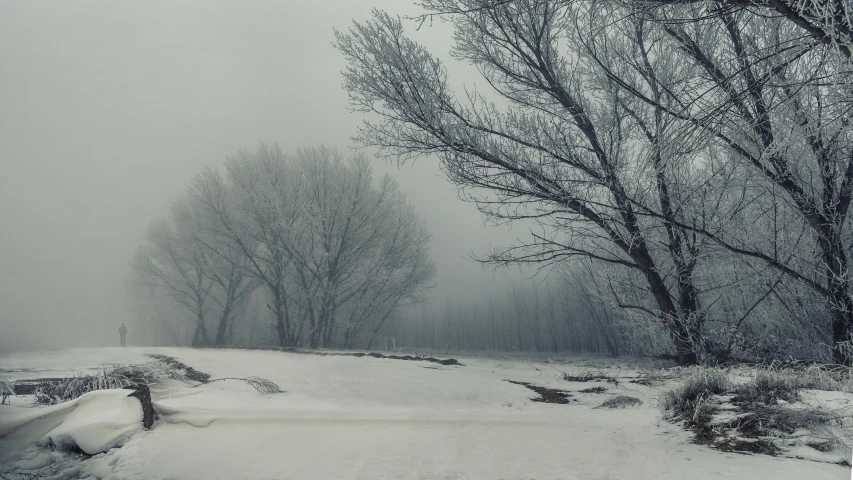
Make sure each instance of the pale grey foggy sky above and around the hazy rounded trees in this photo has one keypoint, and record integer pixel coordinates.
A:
(108, 108)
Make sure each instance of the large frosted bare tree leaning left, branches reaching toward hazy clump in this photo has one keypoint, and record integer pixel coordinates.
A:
(566, 152)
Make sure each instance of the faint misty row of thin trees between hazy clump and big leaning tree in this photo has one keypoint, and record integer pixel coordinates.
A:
(556, 316)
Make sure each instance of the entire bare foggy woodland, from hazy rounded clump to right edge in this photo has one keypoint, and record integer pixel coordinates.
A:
(682, 172)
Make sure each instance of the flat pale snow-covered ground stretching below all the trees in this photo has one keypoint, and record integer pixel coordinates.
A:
(365, 418)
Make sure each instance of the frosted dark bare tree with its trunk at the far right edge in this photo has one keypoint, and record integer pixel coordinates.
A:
(779, 107)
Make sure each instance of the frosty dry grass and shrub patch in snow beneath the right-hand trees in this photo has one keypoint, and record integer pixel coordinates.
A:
(765, 413)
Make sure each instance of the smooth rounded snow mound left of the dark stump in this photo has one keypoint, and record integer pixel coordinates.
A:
(101, 421)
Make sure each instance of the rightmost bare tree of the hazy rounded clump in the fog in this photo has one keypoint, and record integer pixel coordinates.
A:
(360, 248)
